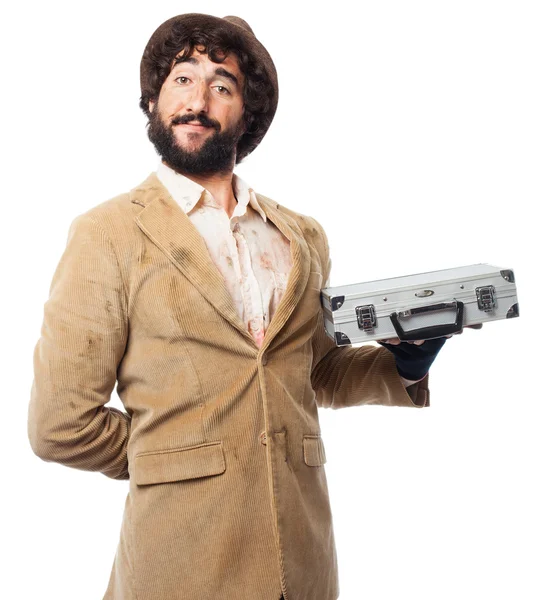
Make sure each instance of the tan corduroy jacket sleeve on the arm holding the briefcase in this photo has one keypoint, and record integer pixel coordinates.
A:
(350, 376)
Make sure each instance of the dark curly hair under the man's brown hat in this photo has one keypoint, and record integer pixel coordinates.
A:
(217, 43)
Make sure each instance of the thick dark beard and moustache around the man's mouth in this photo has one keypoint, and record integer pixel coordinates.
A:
(215, 155)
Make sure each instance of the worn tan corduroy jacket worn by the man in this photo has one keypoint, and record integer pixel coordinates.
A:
(220, 440)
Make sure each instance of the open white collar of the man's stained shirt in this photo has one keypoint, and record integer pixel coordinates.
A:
(187, 193)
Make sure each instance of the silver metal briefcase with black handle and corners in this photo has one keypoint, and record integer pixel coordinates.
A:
(421, 306)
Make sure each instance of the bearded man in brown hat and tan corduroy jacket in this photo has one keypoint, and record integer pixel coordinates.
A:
(200, 297)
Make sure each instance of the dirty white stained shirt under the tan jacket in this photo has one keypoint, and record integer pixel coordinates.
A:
(252, 255)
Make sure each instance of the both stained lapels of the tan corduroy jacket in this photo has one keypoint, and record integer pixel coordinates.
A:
(170, 228)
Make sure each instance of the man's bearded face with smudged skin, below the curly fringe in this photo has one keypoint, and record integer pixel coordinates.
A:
(197, 121)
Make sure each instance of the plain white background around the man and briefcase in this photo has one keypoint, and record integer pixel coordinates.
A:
(408, 129)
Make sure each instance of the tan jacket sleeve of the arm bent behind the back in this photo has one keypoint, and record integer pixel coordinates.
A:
(83, 338)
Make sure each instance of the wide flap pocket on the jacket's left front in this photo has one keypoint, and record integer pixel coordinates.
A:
(161, 466)
